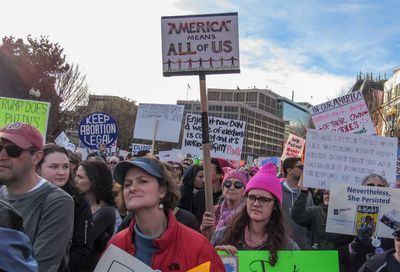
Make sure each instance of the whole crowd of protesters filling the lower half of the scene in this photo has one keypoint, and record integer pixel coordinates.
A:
(60, 213)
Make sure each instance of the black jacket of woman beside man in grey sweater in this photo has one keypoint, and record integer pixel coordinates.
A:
(82, 238)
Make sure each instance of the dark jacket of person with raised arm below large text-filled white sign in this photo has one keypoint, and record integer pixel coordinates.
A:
(314, 219)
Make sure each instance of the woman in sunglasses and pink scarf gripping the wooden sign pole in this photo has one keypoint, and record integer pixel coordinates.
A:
(233, 186)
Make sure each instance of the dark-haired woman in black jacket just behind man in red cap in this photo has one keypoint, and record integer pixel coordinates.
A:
(55, 167)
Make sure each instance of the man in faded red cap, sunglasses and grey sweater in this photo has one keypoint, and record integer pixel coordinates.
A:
(47, 211)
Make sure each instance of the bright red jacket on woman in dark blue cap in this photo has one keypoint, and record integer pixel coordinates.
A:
(180, 248)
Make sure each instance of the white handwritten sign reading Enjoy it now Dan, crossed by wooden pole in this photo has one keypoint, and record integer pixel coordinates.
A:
(226, 136)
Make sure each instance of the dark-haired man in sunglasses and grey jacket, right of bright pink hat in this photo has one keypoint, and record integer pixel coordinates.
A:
(292, 171)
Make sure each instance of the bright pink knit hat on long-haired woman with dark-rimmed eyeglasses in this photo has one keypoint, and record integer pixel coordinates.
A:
(266, 180)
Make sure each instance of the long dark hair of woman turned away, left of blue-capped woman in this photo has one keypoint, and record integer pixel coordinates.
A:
(101, 178)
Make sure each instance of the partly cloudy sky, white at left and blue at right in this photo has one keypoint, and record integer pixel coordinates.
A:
(315, 48)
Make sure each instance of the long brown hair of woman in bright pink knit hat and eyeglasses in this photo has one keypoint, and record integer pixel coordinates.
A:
(275, 230)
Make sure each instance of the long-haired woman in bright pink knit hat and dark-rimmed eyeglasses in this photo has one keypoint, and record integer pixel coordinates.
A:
(260, 225)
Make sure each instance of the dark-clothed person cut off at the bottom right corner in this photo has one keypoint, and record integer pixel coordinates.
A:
(389, 261)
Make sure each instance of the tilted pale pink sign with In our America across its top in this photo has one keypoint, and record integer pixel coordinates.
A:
(348, 113)
